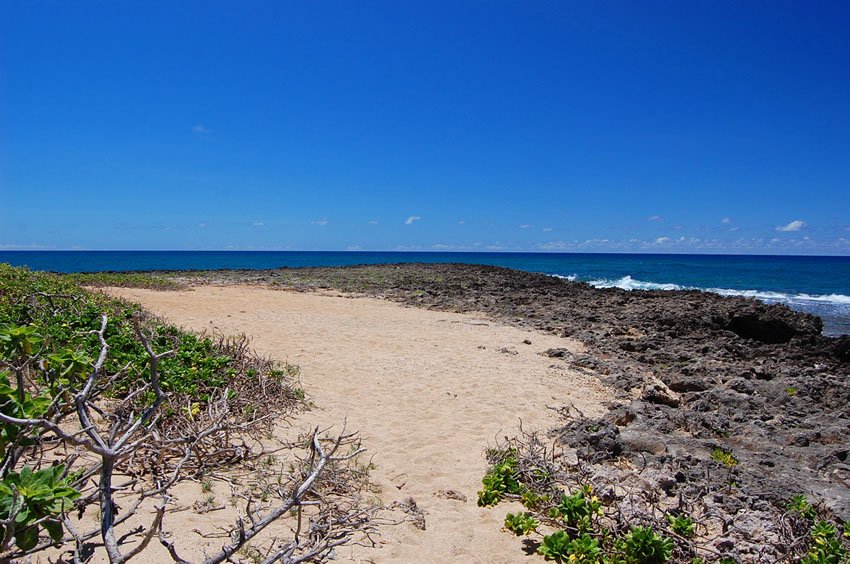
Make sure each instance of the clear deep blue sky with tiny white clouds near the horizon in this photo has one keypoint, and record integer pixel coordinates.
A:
(717, 127)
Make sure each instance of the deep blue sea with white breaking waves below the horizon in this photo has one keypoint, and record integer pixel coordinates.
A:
(819, 285)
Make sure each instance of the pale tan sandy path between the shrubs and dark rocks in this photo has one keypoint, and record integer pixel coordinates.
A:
(428, 390)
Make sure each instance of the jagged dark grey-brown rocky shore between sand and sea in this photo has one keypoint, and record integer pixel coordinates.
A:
(694, 373)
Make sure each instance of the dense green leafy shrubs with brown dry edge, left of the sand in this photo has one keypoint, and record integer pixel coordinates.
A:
(68, 354)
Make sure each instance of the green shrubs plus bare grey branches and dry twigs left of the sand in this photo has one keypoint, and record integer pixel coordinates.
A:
(105, 410)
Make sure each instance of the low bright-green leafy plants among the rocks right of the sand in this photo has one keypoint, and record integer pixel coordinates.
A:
(565, 518)
